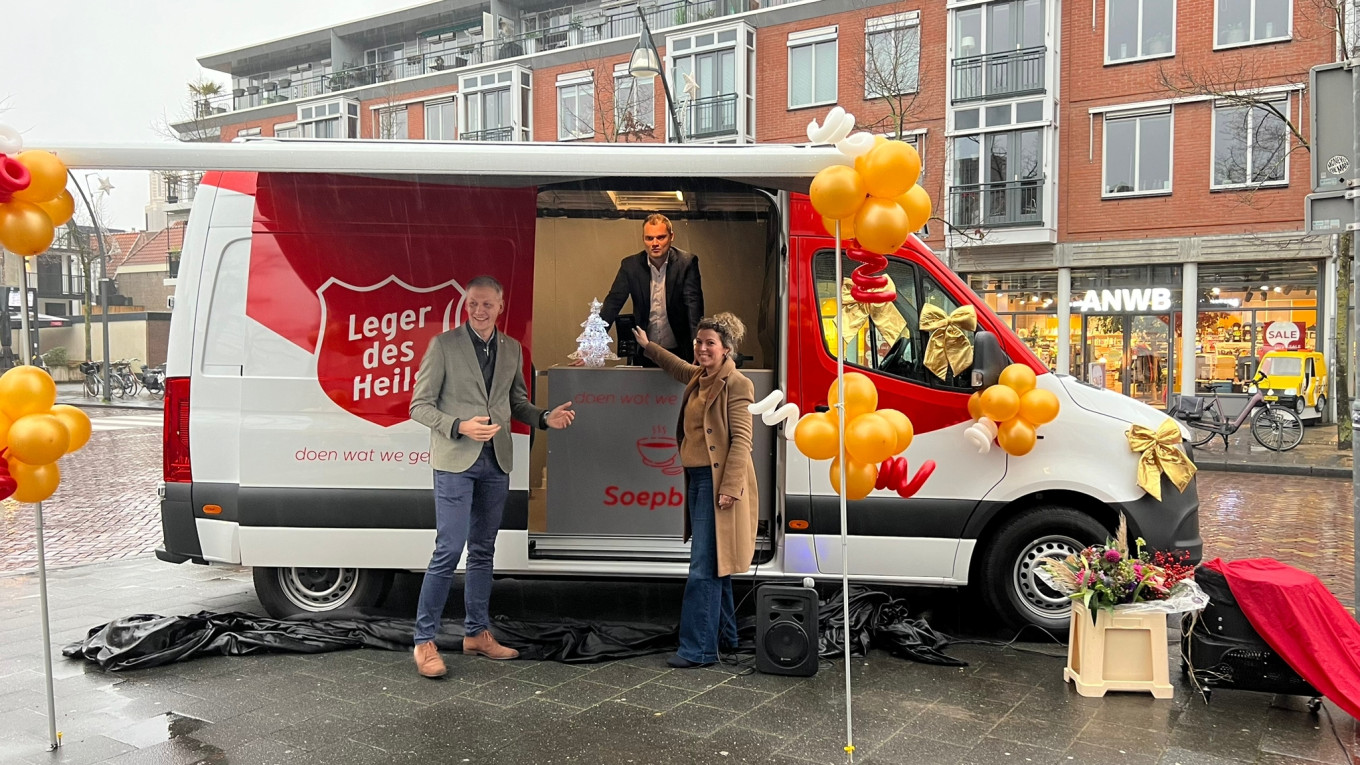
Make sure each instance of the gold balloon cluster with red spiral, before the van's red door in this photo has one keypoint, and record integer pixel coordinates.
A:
(874, 436)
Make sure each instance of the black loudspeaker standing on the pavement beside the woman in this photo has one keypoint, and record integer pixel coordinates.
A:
(787, 631)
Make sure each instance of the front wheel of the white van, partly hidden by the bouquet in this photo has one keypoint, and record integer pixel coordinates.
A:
(1008, 576)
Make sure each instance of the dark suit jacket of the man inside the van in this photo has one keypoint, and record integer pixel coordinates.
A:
(685, 295)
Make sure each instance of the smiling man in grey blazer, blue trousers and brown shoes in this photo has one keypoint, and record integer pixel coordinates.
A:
(469, 389)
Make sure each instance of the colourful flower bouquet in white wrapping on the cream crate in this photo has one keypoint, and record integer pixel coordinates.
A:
(1109, 576)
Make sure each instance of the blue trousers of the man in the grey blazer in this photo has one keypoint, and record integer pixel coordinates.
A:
(467, 511)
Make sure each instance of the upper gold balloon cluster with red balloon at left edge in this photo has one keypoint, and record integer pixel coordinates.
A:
(33, 197)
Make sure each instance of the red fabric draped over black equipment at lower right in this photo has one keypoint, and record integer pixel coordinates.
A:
(1304, 623)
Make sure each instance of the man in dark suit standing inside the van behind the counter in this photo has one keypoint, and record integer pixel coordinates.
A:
(663, 281)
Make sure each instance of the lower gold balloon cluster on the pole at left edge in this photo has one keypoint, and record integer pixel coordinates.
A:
(35, 434)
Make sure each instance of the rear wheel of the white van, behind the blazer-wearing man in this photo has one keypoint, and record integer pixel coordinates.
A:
(303, 590)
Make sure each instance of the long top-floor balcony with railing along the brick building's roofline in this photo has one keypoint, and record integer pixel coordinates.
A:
(588, 25)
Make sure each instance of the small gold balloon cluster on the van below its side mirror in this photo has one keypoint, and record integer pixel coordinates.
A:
(1011, 413)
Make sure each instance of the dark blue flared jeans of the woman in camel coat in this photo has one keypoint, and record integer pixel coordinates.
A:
(708, 611)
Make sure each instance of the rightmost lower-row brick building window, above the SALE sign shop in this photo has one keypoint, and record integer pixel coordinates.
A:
(1251, 144)
